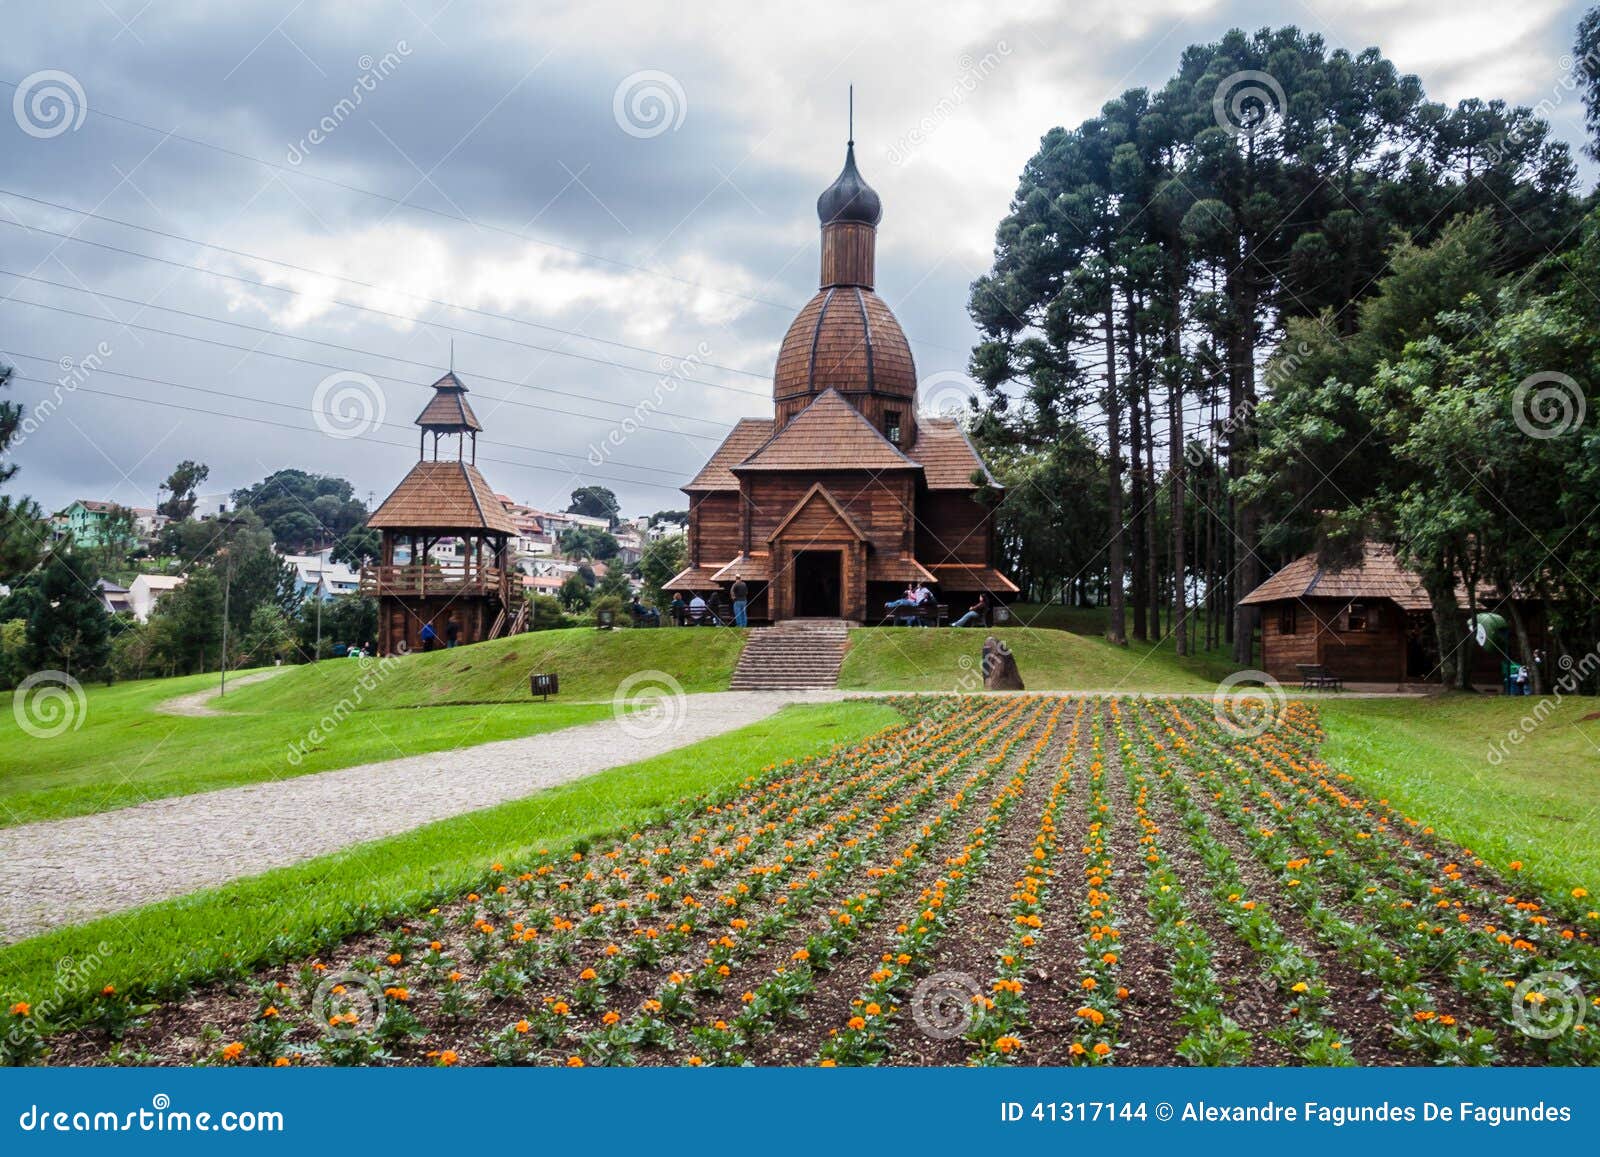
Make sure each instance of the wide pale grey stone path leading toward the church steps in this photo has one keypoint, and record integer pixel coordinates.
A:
(68, 871)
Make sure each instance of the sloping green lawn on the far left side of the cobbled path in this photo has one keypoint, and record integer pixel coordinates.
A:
(127, 753)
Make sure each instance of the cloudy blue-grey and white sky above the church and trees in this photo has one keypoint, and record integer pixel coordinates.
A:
(252, 231)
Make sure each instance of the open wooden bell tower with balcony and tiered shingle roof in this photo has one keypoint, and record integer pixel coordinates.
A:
(446, 540)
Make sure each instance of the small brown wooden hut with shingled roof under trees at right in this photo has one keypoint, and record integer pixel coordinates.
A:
(1369, 623)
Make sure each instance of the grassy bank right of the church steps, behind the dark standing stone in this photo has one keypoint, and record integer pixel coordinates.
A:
(946, 660)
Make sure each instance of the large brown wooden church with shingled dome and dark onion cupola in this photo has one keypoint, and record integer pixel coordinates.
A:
(846, 497)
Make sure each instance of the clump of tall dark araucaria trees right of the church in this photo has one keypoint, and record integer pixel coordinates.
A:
(1161, 254)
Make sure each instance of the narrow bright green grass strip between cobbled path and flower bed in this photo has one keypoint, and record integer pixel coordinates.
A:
(295, 911)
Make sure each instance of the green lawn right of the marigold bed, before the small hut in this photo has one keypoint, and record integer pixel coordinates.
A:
(1538, 804)
